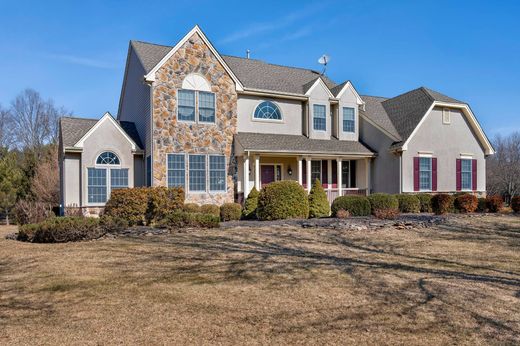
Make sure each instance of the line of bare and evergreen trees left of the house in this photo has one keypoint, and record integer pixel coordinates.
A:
(29, 172)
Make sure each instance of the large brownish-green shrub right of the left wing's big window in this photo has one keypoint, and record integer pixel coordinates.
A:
(129, 204)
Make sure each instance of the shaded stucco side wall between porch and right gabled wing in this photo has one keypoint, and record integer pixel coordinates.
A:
(384, 167)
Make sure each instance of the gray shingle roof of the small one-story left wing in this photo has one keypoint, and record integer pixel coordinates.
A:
(73, 129)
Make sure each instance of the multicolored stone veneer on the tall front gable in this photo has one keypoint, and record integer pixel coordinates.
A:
(173, 136)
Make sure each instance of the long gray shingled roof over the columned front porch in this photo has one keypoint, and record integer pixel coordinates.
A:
(298, 144)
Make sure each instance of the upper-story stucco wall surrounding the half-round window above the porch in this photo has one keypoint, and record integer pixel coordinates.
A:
(291, 123)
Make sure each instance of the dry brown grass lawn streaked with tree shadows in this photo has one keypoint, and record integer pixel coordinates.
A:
(456, 283)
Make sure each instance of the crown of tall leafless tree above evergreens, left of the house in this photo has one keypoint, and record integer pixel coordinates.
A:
(34, 120)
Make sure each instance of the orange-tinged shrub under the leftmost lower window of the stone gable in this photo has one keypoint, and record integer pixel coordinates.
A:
(163, 200)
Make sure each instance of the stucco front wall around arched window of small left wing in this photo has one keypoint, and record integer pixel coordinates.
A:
(97, 143)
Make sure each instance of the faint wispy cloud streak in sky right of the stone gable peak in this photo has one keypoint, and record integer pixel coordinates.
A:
(273, 25)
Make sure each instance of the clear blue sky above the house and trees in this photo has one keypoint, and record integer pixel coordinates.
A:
(74, 51)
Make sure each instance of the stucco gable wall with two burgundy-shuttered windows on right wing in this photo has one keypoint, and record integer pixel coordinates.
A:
(446, 143)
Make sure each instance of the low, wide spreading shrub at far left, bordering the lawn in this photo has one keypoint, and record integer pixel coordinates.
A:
(61, 229)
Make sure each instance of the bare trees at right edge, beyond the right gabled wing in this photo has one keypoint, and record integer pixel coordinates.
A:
(503, 168)
